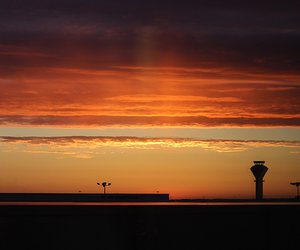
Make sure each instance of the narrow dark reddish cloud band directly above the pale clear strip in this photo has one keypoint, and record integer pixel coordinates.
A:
(71, 121)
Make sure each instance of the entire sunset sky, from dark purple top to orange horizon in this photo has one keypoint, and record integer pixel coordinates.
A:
(174, 97)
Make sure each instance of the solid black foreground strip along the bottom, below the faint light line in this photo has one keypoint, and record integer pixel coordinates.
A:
(150, 227)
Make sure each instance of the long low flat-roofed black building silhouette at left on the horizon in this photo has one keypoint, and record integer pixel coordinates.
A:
(83, 197)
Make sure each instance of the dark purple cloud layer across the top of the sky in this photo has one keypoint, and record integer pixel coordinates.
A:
(255, 35)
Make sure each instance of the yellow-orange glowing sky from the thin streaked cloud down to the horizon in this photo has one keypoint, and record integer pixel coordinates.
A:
(185, 168)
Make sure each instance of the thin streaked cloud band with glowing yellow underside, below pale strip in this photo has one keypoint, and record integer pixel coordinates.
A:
(86, 147)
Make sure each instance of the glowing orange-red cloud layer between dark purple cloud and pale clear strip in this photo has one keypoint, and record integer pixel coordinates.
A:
(141, 96)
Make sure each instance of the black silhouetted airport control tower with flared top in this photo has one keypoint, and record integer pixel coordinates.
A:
(259, 170)
